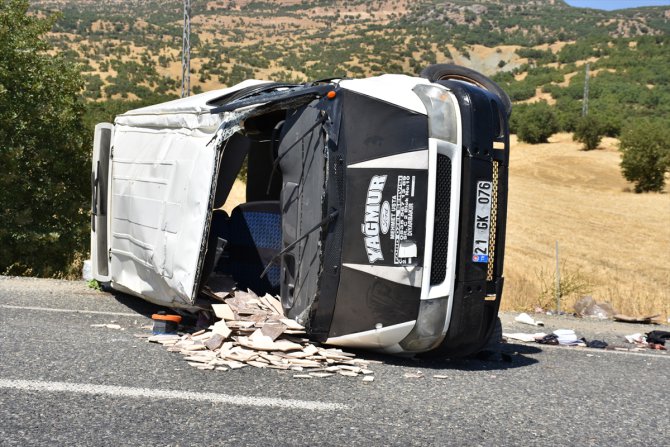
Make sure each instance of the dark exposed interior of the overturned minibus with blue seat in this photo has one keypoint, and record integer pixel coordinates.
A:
(240, 246)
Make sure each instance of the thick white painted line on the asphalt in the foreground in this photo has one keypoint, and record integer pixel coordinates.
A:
(122, 391)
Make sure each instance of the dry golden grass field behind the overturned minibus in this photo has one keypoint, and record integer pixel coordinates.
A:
(614, 244)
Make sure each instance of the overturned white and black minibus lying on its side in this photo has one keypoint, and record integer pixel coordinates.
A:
(375, 208)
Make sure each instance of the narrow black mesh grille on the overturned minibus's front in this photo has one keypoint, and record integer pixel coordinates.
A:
(438, 268)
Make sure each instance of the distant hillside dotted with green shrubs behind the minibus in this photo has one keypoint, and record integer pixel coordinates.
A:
(132, 49)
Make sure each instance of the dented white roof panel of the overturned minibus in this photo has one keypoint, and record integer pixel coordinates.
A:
(160, 191)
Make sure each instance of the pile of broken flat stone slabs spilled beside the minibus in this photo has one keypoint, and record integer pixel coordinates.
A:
(253, 331)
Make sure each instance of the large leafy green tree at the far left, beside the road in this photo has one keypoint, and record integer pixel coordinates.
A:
(44, 150)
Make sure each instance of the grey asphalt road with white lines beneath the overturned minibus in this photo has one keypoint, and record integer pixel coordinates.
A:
(63, 382)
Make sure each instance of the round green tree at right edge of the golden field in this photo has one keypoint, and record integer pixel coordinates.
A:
(645, 148)
